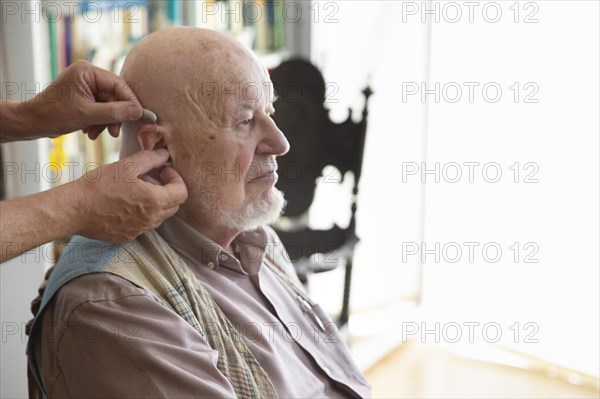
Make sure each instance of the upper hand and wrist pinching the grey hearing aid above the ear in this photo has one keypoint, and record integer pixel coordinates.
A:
(83, 97)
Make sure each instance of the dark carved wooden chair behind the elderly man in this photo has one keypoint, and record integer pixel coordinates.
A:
(315, 142)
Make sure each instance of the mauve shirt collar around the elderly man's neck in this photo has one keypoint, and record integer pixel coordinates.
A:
(249, 247)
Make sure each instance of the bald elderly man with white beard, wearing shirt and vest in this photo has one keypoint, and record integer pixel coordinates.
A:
(207, 305)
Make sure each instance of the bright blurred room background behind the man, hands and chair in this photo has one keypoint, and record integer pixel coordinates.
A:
(477, 269)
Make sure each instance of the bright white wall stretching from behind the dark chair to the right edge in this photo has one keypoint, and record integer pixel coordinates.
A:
(556, 137)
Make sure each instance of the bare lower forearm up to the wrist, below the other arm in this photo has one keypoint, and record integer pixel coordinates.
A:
(28, 222)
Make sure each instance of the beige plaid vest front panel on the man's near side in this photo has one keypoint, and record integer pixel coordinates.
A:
(155, 267)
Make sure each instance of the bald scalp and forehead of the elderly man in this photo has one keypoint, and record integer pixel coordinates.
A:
(180, 74)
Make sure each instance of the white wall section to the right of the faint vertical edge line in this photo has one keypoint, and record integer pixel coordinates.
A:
(559, 135)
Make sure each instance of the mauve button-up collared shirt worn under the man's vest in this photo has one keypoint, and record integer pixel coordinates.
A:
(104, 337)
